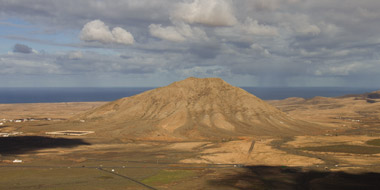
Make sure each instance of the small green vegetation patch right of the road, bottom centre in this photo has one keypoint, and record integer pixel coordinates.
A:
(168, 176)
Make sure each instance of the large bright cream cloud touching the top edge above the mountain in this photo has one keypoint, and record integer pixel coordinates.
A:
(207, 12)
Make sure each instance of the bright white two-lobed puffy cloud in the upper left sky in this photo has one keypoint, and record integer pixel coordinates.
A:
(98, 31)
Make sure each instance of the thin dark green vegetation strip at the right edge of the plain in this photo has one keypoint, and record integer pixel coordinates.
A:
(354, 149)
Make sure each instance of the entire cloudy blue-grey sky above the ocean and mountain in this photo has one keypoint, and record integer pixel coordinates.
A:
(130, 43)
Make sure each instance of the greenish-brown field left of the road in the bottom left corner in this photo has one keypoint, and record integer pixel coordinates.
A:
(60, 179)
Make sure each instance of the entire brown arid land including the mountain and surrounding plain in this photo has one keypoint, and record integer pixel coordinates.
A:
(195, 134)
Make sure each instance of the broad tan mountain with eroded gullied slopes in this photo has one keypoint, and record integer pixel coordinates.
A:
(193, 108)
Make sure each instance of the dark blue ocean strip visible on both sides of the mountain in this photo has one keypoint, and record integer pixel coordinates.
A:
(45, 95)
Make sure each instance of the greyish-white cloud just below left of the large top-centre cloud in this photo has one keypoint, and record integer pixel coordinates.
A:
(177, 33)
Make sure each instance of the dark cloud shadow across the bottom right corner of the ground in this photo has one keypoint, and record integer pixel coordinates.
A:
(267, 177)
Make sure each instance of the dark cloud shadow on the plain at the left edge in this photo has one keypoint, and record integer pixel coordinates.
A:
(24, 144)
